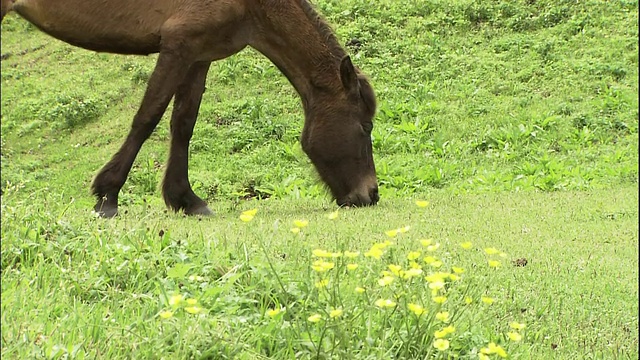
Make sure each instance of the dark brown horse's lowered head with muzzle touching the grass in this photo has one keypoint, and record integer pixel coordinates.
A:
(337, 139)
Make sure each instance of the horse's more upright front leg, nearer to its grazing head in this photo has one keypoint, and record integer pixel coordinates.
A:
(176, 189)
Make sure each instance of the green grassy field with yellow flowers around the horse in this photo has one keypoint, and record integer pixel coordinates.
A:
(515, 125)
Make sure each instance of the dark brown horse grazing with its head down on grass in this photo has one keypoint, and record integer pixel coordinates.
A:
(338, 101)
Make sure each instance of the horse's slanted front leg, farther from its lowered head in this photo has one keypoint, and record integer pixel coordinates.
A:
(170, 70)
